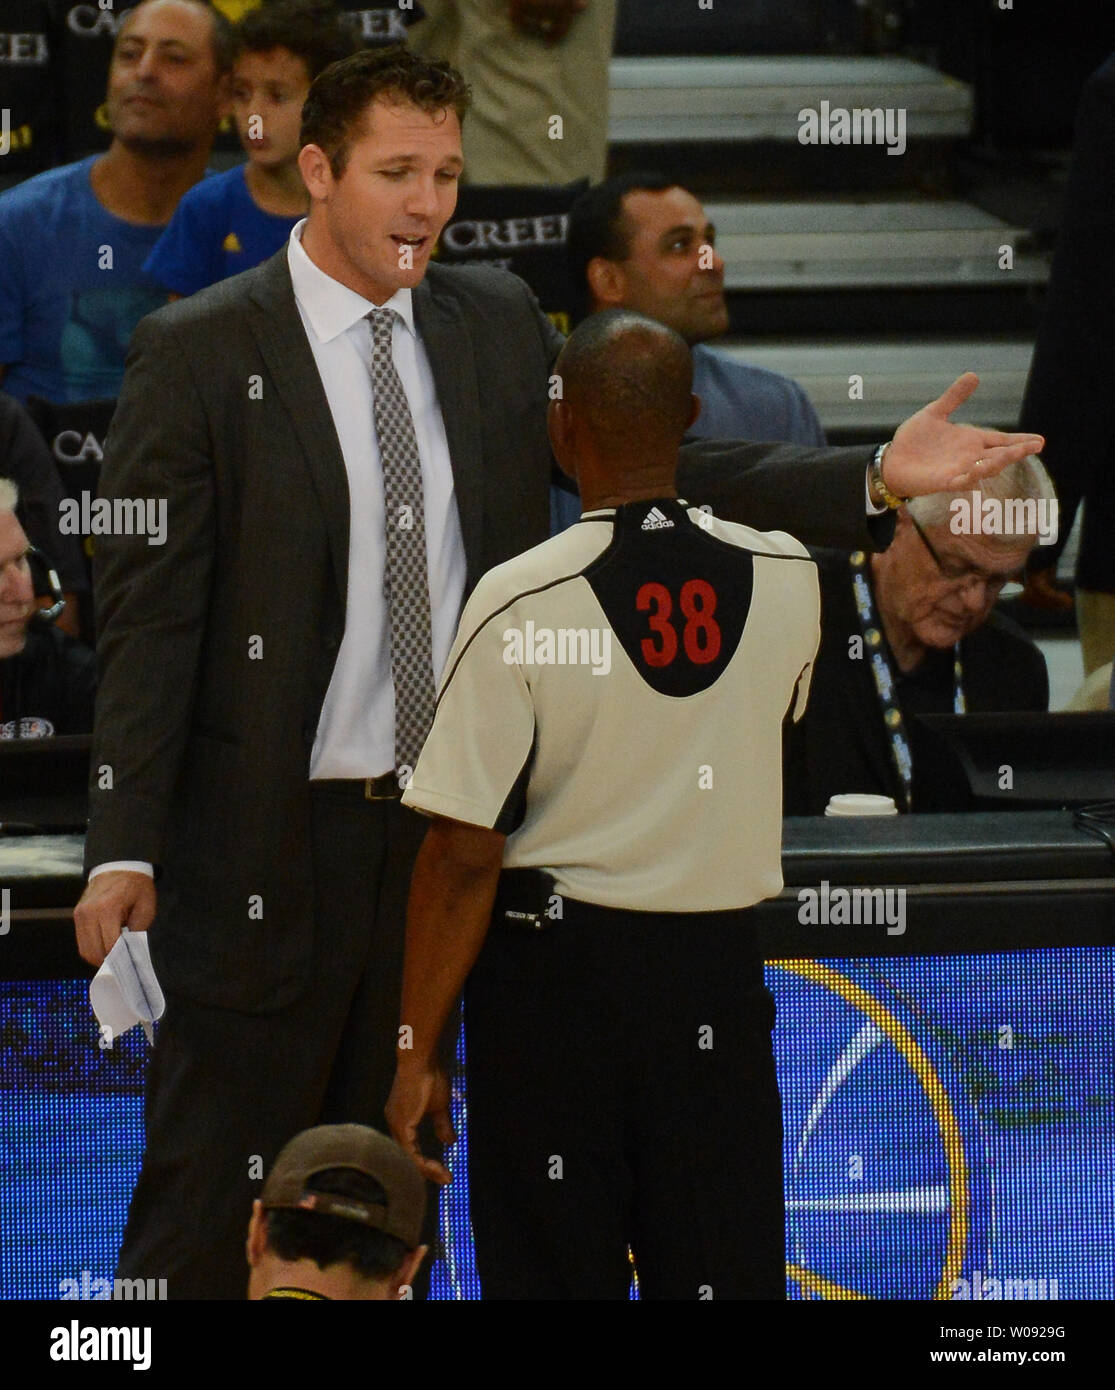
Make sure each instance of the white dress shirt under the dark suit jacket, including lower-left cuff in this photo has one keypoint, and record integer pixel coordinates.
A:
(357, 730)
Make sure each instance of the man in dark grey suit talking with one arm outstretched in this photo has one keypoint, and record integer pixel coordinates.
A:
(336, 487)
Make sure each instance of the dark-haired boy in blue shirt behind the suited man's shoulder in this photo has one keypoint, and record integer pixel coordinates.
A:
(236, 220)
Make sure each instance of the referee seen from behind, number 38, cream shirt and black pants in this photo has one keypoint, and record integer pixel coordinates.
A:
(610, 736)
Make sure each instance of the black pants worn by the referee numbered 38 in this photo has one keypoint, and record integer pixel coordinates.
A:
(622, 1092)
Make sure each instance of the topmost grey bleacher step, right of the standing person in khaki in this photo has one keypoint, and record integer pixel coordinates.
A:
(733, 99)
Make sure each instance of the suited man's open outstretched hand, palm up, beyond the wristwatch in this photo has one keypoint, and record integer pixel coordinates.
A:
(932, 455)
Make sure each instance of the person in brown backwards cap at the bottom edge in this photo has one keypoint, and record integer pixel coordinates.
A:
(340, 1217)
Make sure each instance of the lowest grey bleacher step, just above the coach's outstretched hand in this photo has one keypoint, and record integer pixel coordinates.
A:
(897, 377)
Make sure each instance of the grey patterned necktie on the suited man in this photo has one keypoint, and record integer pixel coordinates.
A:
(412, 665)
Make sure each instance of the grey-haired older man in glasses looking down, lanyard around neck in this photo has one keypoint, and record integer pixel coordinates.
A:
(914, 630)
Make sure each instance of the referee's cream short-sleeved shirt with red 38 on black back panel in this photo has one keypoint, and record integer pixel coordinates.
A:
(642, 769)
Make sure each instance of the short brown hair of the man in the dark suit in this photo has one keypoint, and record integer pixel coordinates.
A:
(337, 108)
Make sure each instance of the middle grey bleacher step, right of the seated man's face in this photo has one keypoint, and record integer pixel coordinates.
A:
(847, 245)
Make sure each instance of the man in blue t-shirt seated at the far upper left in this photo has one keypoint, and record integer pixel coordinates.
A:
(73, 241)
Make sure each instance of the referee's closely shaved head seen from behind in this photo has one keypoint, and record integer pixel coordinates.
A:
(628, 382)
